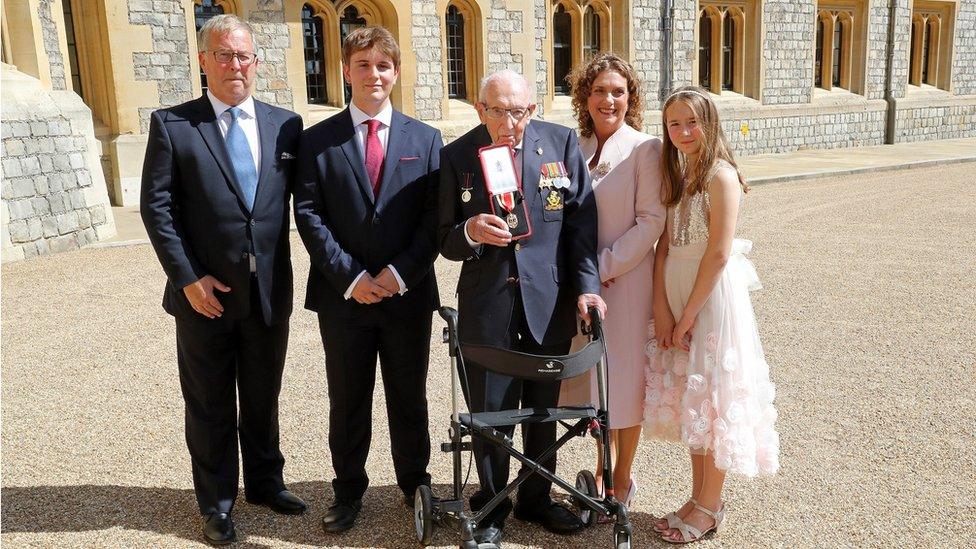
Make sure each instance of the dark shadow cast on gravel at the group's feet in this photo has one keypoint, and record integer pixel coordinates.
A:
(172, 512)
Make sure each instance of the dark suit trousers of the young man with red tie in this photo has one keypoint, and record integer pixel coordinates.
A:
(352, 346)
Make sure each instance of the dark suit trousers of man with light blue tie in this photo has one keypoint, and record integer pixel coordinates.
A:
(223, 361)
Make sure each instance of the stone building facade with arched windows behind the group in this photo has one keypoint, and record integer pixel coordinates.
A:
(787, 74)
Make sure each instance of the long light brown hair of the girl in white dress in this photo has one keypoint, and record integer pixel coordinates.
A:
(714, 147)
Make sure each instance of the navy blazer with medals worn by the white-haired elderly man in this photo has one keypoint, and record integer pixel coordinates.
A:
(554, 265)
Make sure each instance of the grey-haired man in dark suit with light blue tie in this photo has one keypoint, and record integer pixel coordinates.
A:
(215, 190)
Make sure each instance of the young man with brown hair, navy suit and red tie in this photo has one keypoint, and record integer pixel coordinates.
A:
(365, 205)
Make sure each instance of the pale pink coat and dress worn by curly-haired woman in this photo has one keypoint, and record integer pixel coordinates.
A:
(627, 184)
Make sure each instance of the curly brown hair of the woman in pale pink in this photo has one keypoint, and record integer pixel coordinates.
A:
(582, 78)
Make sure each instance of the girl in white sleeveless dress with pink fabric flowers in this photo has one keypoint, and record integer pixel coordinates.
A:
(708, 382)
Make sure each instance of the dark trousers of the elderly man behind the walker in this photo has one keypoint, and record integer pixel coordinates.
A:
(487, 391)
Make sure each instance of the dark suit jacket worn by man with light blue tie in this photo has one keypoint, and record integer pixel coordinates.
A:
(194, 213)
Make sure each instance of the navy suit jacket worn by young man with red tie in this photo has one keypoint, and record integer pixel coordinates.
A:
(346, 231)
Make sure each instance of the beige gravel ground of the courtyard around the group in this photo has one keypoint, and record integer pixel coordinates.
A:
(866, 316)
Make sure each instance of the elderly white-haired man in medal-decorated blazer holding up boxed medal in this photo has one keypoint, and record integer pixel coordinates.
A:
(522, 295)
